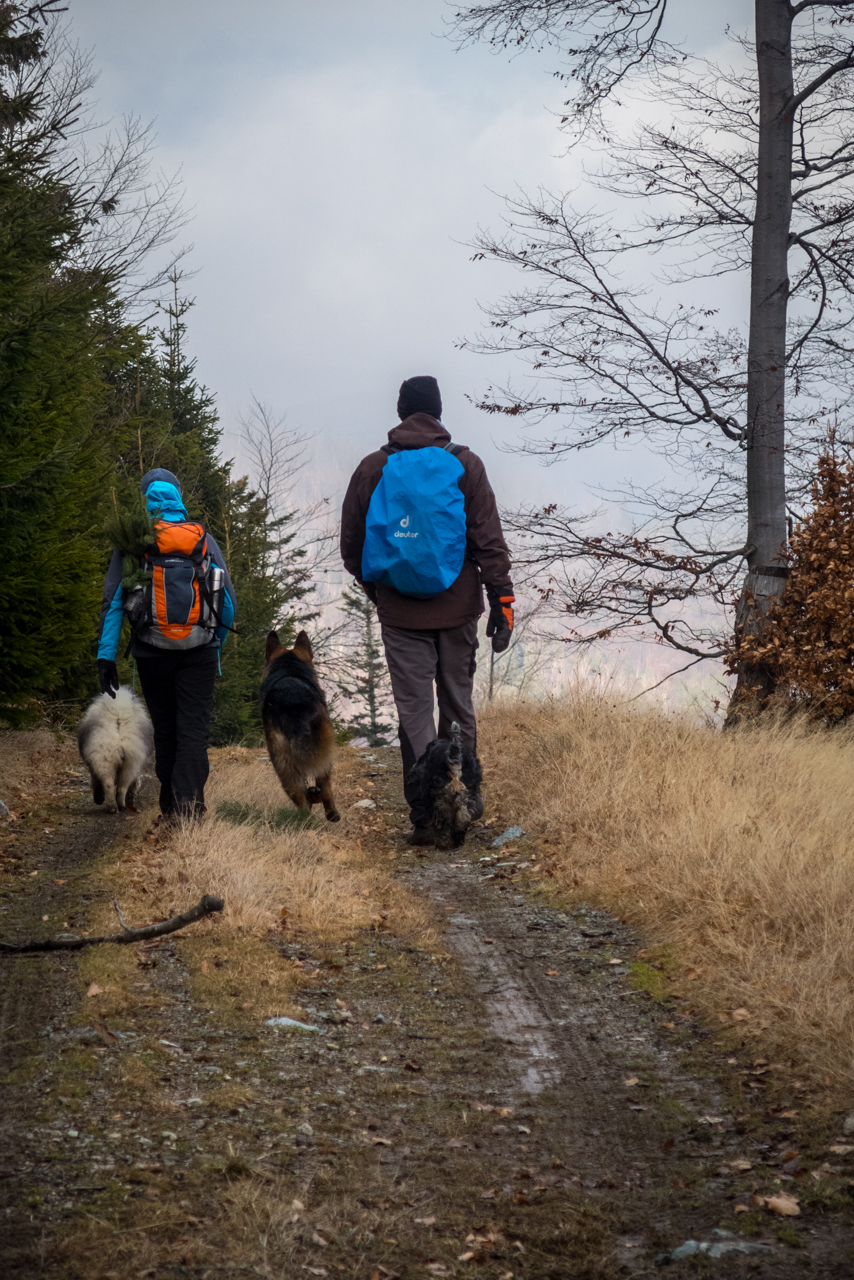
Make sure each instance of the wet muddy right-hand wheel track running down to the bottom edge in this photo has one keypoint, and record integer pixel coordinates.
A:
(591, 1060)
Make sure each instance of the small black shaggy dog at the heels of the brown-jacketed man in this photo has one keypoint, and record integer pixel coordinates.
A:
(449, 779)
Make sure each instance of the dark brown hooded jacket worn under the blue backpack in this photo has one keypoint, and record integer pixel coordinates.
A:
(487, 561)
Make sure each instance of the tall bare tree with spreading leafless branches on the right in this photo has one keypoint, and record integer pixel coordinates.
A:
(747, 173)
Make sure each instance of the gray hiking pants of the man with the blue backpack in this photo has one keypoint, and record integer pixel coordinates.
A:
(417, 662)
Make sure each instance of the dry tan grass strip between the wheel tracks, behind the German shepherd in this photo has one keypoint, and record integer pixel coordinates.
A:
(317, 884)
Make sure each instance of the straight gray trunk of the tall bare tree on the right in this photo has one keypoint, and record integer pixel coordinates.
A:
(766, 418)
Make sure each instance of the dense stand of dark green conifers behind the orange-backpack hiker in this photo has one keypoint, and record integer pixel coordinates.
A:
(90, 403)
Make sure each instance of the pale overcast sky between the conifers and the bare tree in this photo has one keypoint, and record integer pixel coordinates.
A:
(337, 159)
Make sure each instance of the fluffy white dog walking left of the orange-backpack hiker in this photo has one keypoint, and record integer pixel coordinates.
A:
(116, 740)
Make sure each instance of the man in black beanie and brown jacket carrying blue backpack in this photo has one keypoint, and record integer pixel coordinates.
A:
(421, 532)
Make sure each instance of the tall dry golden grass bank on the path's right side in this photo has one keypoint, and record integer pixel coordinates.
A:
(734, 852)
